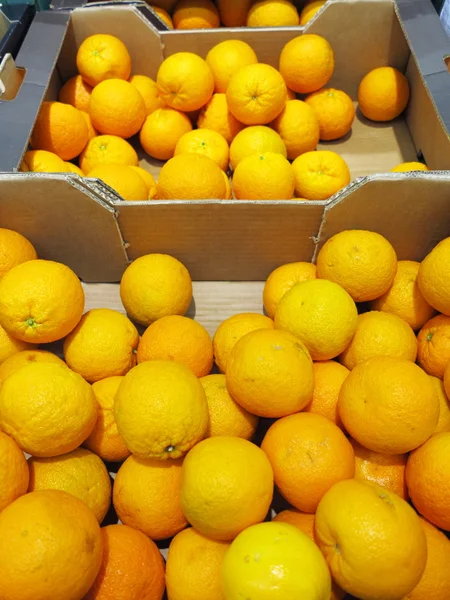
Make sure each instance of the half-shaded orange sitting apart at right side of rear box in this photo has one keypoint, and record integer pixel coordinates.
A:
(383, 94)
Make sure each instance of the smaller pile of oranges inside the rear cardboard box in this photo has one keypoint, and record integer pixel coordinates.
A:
(207, 117)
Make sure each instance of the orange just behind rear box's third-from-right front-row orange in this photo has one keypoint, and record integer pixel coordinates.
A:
(206, 142)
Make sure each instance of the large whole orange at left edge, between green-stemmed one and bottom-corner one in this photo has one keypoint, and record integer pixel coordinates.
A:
(47, 409)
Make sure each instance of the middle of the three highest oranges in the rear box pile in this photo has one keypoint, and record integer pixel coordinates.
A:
(227, 57)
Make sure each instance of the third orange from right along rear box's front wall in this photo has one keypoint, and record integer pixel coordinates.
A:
(191, 177)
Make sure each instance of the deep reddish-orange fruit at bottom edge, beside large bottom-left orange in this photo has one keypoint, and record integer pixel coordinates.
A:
(132, 568)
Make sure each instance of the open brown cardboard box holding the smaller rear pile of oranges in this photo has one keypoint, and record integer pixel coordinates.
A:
(84, 224)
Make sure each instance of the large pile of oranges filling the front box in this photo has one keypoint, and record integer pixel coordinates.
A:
(337, 398)
